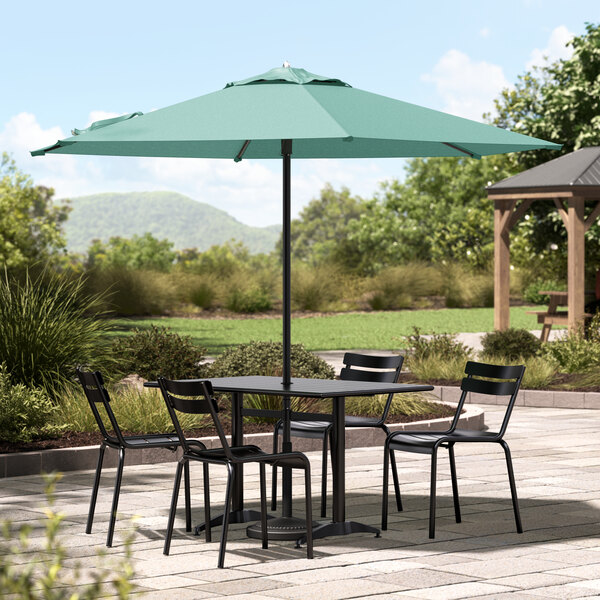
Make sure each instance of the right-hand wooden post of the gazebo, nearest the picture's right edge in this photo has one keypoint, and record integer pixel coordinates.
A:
(576, 261)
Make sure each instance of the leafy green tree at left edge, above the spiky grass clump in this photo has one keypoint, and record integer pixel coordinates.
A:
(30, 225)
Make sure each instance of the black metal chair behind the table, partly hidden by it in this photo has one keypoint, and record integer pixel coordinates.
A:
(390, 367)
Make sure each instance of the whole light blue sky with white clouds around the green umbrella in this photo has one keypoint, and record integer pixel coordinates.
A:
(69, 63)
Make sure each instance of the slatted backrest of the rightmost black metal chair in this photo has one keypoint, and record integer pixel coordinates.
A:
(495, 380)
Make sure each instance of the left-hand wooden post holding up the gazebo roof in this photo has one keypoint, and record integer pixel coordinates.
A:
(502, 211)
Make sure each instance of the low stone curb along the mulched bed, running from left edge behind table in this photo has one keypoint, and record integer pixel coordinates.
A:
(86, 457)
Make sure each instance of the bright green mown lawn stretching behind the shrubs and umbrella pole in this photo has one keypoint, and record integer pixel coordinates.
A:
(377, 330)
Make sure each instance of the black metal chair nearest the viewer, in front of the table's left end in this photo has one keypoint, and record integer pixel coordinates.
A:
(196, 397)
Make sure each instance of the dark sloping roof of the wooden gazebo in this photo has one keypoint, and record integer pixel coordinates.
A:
(575, 172)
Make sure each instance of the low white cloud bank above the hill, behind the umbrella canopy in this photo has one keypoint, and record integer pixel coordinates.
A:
(249, 190)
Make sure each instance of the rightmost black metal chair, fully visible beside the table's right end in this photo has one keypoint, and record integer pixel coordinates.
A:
(479, 380)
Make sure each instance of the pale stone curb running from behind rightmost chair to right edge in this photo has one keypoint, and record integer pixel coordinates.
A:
(535, 398)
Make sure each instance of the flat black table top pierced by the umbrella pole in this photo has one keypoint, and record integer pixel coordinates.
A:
(310, 388)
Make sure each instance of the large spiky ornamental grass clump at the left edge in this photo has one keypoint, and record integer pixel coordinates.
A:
(48, 325)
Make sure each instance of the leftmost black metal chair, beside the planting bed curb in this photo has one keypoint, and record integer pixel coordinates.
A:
(97, 395)
